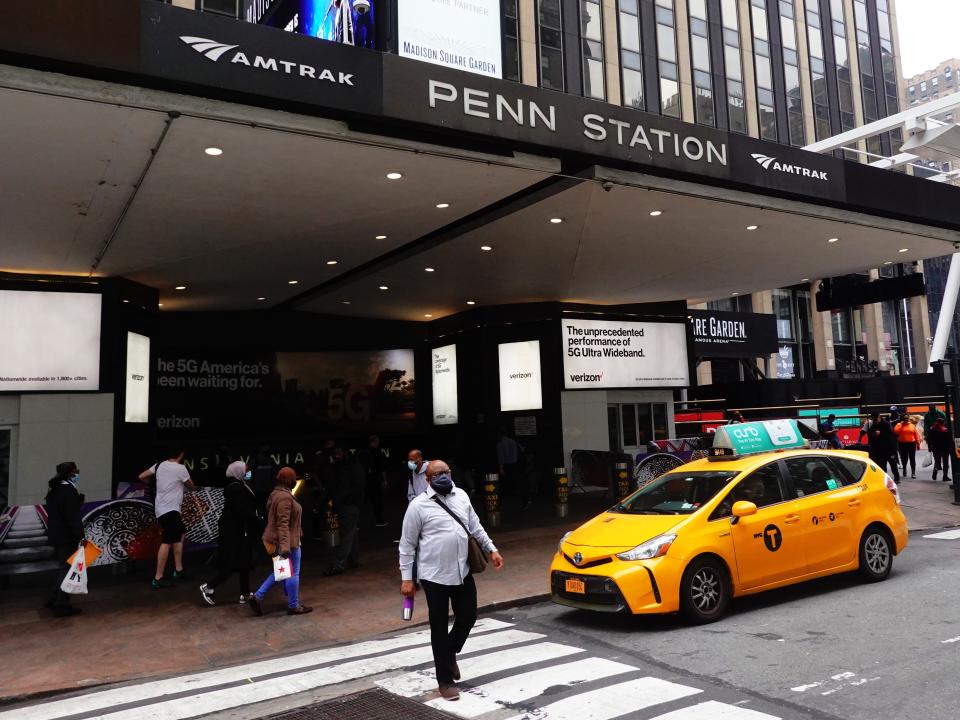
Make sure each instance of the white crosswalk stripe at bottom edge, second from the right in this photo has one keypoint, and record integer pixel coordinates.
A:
(611, 702)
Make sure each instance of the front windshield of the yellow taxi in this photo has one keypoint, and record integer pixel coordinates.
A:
(676, 493)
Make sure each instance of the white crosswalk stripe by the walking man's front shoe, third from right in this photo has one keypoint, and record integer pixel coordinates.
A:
(518, 688)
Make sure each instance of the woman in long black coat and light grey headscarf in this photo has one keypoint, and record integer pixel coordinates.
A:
(240, 527)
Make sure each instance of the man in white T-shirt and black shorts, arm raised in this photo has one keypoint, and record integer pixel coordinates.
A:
(171, 478)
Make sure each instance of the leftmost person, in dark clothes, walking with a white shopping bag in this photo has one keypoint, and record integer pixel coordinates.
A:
(64, 529)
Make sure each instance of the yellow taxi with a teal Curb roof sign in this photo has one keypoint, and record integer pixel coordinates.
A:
(763, 511)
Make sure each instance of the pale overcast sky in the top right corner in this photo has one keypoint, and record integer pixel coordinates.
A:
(929, 33)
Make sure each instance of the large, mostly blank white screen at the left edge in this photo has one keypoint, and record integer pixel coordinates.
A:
(50, 341)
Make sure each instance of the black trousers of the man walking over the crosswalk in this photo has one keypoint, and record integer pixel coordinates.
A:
(463, 600)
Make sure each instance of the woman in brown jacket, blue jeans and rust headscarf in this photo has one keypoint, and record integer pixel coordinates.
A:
(282, 537)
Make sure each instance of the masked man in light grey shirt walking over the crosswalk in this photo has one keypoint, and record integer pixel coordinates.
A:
(444, 571)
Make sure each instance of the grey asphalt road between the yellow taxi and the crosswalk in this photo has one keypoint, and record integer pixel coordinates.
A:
(836, 647)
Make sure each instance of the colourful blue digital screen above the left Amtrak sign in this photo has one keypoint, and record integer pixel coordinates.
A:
(351, 22)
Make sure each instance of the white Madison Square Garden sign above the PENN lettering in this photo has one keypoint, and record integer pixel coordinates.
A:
(459, 35)
